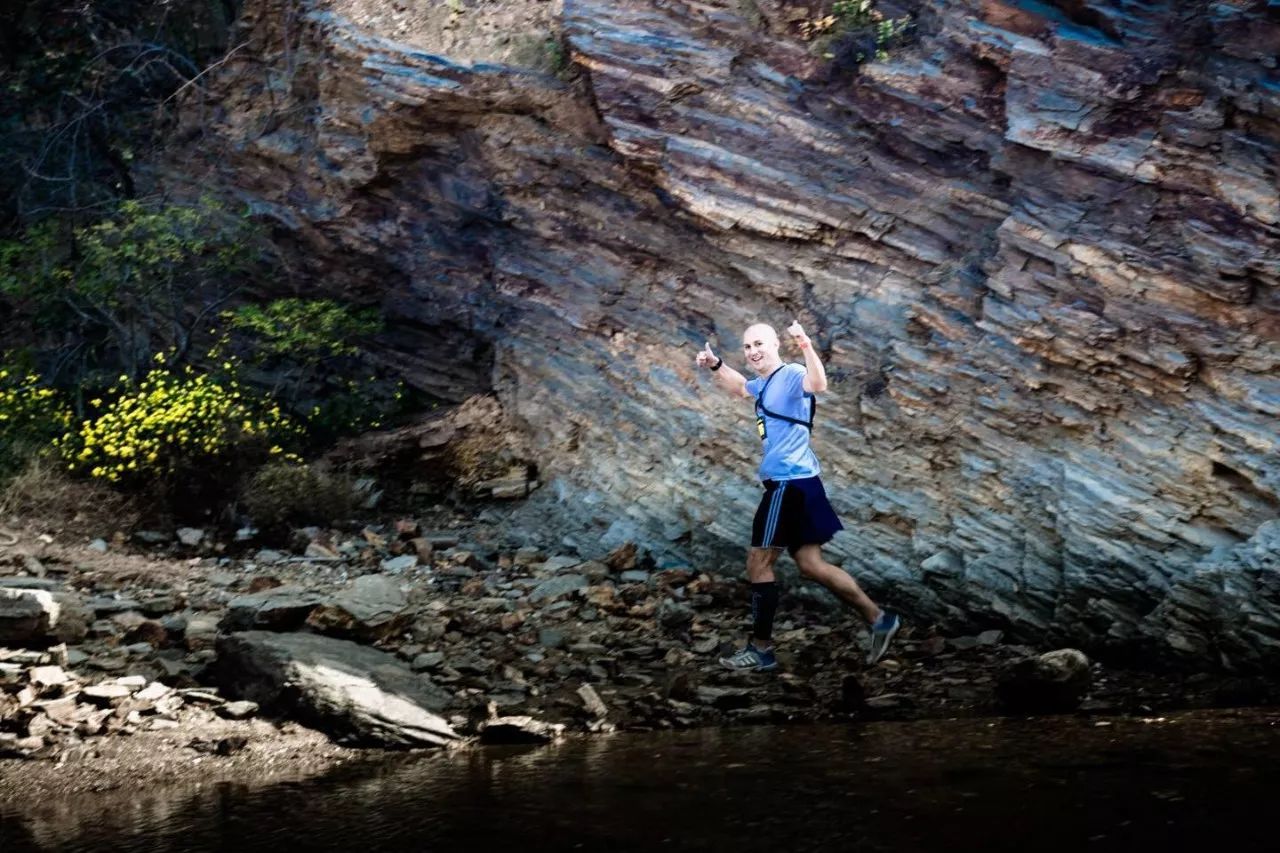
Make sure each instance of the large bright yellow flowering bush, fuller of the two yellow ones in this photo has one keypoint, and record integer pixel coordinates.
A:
(175, 423)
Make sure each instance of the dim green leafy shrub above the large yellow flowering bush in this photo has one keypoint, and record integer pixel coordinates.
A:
(126, 286)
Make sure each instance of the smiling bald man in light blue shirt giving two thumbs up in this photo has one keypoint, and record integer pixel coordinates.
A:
(794, 512)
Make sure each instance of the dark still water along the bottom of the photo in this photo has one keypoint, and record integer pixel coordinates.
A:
(1204, 781)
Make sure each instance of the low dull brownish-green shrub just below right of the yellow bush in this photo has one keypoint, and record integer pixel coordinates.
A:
(285, 494)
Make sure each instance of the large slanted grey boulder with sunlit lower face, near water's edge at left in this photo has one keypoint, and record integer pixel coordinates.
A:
(354, 694)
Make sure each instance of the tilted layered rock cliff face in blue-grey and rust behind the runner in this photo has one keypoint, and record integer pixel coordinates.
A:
(1039, 248)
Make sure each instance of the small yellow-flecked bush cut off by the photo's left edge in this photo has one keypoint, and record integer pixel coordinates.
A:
(31, 416)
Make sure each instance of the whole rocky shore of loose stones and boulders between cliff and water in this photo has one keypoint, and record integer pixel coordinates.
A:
(163, 659)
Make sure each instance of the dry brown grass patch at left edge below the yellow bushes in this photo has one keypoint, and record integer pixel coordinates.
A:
(43, 492)
